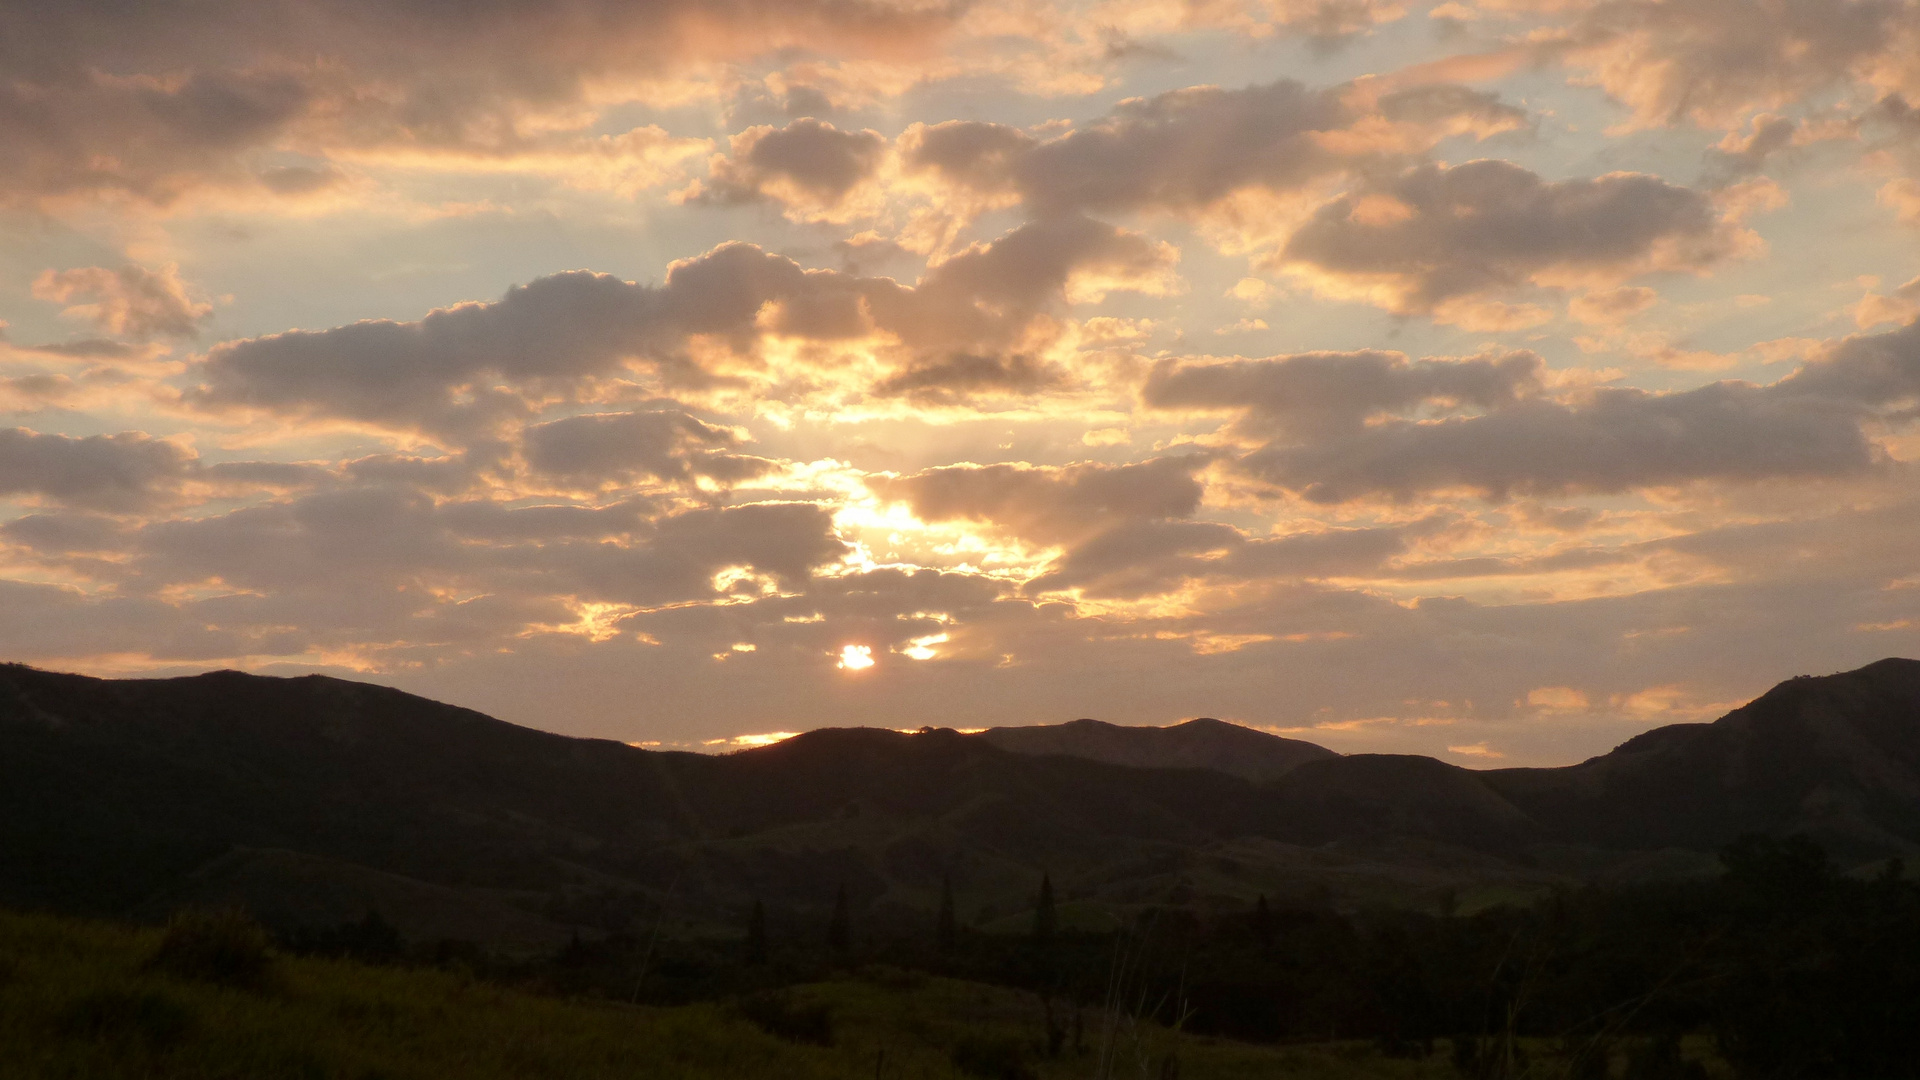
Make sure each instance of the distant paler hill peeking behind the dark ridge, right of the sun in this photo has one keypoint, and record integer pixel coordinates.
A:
(1193, 745)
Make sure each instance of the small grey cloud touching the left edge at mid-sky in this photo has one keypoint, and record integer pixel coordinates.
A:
(103, 472)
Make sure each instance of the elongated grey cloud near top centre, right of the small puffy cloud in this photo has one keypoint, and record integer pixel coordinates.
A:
(1189, 149)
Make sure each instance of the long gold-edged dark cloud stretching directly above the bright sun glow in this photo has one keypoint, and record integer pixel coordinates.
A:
(464, 370)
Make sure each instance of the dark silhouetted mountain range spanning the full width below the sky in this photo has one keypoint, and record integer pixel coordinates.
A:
(316, 798)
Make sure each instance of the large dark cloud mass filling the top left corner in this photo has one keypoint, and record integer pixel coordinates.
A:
(156, 99)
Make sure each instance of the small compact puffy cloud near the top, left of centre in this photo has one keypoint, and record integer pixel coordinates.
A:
(809, 166)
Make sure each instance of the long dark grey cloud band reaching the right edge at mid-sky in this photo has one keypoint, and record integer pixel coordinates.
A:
(1810, 426)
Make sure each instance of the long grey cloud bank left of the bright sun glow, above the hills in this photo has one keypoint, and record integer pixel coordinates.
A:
(381, 554)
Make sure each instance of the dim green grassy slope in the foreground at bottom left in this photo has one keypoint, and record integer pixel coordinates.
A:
(85, 1000)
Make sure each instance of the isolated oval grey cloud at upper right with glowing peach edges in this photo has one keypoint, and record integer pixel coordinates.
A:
(1439, 235)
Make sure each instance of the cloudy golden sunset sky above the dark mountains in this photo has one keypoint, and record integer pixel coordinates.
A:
(1493, 380)
